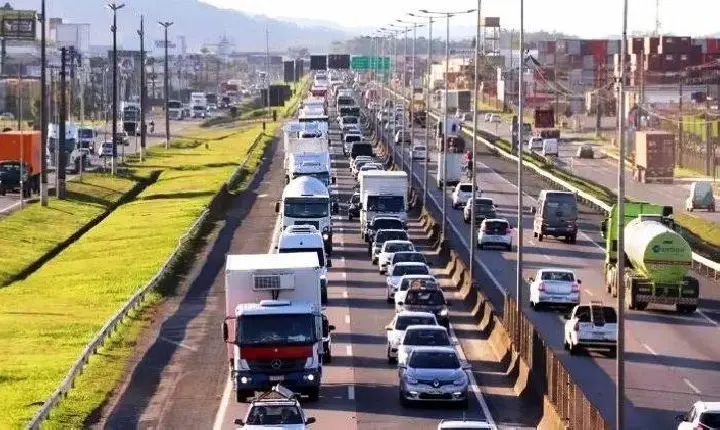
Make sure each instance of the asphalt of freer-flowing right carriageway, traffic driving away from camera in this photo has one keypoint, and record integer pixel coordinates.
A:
(670, 360)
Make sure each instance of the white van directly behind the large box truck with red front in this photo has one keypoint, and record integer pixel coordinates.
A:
(306, 238)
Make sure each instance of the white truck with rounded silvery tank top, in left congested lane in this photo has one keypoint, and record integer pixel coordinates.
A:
(306, 200)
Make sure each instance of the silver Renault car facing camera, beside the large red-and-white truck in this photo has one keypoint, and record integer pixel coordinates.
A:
(434, 374)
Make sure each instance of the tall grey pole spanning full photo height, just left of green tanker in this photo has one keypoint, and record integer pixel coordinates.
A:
(620, 278)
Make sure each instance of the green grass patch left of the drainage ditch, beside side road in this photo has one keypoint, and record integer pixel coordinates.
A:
(30, 233)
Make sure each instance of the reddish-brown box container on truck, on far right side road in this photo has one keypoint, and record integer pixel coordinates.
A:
(654, 154)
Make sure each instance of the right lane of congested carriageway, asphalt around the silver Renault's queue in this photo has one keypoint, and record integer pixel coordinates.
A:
(376, 380)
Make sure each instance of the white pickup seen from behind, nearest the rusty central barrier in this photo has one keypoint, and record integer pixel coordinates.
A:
(592, 325)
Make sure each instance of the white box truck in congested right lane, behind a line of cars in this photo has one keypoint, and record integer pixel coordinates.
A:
(382, 193)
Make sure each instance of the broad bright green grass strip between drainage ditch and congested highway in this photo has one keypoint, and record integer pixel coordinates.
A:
(47, 319)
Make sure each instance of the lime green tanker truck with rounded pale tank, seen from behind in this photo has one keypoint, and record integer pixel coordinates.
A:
(657, 259)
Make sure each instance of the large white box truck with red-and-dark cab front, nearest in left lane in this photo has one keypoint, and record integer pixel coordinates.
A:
(273, 323)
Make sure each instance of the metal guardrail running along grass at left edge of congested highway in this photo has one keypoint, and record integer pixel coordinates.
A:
(110, 326)
